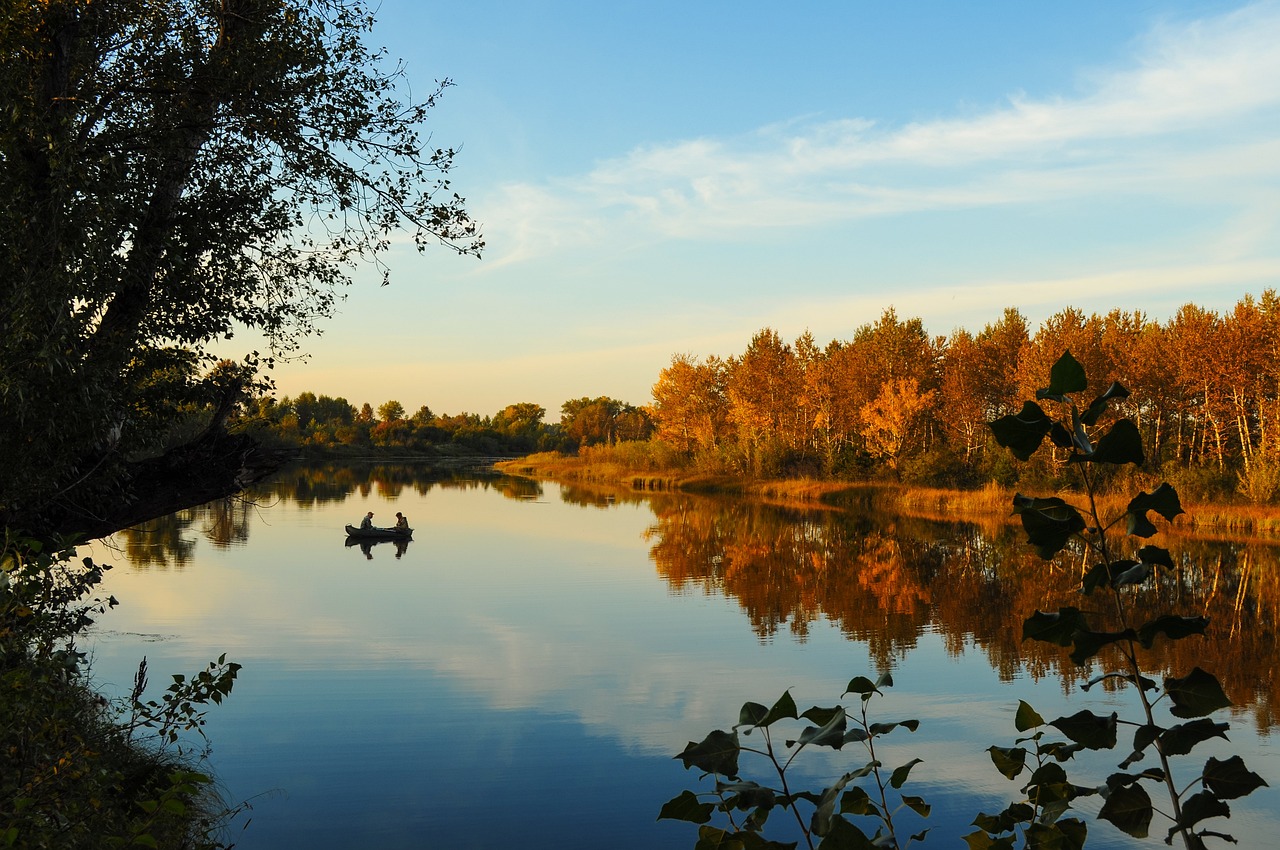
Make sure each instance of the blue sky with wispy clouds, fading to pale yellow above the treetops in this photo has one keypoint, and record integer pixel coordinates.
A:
(661, 179)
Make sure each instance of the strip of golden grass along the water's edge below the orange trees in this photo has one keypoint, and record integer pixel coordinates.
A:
(990, 504)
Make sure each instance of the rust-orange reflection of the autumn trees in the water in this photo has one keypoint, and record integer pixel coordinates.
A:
(886, 581)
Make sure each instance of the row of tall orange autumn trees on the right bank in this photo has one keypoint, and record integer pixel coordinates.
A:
(1205, 392)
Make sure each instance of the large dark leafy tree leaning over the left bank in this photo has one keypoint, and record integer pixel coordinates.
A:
(172, 171)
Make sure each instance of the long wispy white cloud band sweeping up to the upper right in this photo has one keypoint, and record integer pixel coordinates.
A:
(1194, 113)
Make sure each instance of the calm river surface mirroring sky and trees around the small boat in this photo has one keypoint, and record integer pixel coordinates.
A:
(523, 673)
